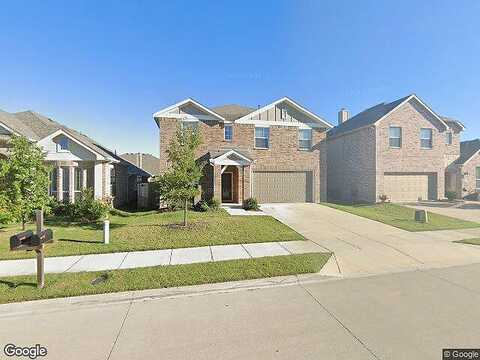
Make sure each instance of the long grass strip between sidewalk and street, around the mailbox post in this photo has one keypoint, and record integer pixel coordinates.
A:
(23, 288)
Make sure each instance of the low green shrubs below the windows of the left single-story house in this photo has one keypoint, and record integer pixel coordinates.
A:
(85, 209)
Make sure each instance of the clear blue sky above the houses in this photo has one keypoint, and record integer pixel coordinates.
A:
(104, 67)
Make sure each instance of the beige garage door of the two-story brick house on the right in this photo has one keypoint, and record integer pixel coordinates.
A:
(409, 187)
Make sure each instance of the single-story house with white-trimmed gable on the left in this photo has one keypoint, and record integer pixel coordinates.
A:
(77, 161)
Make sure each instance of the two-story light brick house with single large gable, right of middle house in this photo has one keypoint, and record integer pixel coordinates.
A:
(401, 149)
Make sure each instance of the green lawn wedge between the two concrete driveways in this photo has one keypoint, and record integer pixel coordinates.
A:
(403, 217)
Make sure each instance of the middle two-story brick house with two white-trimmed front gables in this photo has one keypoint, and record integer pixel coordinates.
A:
(275, 153)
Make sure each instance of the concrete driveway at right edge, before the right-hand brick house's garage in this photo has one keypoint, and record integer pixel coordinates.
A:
(465, 210)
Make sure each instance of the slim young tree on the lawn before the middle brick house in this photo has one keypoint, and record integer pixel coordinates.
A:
(180, 183)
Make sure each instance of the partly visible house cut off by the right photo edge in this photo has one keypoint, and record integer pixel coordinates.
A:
(465, 172)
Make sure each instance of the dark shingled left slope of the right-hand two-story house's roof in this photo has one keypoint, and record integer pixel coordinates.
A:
(366, 117)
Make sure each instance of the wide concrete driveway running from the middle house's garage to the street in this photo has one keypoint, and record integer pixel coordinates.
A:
(366, 247)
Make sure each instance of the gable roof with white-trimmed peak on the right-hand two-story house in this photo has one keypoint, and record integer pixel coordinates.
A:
(376, 113)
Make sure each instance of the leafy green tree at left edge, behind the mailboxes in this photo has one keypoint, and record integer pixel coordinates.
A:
(24, 180)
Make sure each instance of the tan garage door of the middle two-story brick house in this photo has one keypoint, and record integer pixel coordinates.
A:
(283, 186)
